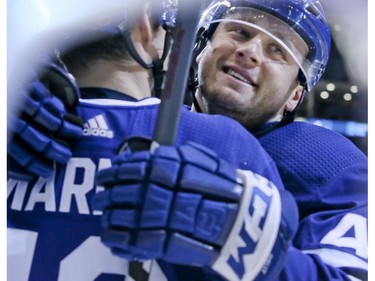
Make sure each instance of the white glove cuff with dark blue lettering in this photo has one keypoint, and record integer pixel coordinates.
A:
(249, 250)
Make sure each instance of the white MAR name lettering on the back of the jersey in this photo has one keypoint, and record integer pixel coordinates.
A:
(54, 196)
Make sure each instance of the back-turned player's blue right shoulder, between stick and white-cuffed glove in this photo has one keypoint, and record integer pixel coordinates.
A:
(230, 140)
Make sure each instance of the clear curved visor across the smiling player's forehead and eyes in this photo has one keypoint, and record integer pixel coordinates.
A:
(281, 40)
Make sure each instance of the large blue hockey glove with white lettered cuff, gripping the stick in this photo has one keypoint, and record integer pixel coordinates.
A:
(187, 206)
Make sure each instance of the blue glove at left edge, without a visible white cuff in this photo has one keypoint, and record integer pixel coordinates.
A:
(41, 128)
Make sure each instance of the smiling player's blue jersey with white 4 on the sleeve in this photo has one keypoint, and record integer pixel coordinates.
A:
(328, 176)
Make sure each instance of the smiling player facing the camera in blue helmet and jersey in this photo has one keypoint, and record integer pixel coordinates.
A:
(256, 60)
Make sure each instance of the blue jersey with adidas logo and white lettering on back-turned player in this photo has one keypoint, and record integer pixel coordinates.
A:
(53, 233)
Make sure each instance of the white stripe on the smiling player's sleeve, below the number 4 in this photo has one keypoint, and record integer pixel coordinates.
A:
(338, 258)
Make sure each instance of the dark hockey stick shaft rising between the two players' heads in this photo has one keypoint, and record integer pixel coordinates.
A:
(178, 71)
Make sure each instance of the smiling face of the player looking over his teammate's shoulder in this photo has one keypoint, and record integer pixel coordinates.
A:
(250, 75)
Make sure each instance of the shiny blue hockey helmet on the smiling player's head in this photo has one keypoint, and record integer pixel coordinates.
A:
(304, 17)
